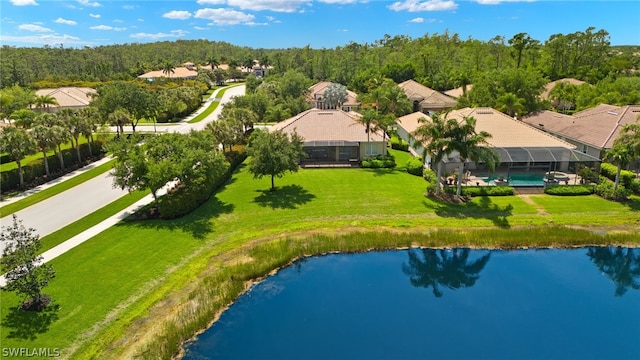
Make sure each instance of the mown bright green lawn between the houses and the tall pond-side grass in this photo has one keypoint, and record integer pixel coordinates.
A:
(107, 283)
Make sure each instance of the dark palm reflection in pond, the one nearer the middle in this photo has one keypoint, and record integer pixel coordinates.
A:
(438, 268)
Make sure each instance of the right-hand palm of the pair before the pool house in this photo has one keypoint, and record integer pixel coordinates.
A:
(471, 145)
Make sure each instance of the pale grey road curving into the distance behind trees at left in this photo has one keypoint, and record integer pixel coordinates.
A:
(65, 208)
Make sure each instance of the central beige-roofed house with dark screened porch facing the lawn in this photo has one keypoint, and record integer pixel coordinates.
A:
(333, 136)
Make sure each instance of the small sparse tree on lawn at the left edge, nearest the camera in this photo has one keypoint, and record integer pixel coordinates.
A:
(20, 260)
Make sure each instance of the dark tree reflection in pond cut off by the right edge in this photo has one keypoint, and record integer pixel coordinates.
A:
(620, 265)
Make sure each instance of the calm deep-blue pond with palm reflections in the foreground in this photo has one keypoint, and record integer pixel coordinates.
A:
(438, 304)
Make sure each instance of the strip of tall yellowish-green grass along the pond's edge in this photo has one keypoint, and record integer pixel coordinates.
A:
(236, 258)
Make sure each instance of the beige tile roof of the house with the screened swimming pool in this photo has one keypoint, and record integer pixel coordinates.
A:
(505, 131)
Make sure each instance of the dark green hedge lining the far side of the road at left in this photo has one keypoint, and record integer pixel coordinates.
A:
(34, 172)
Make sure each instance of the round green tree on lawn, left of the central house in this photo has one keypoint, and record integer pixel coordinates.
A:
(273, 154)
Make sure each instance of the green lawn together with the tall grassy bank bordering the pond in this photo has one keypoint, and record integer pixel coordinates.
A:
(120, 293)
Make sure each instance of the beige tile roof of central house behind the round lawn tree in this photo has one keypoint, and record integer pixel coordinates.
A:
(327, 125)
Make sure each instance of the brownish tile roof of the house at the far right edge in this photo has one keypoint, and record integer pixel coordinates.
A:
(597, 127)
